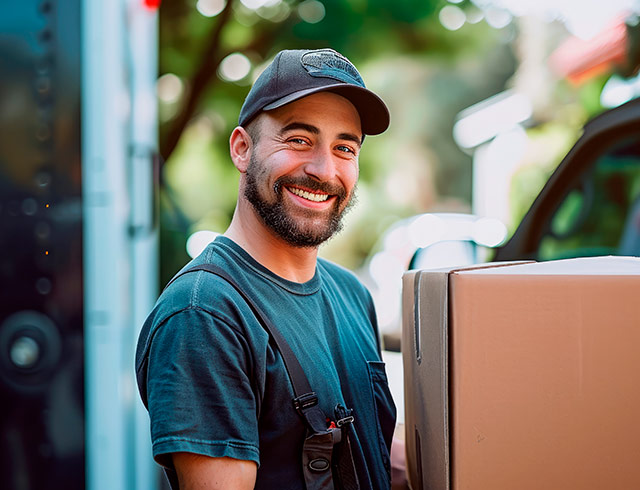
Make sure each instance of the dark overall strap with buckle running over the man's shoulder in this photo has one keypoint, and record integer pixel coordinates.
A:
(305, 401)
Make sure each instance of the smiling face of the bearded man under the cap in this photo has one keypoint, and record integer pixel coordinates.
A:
(304, 167)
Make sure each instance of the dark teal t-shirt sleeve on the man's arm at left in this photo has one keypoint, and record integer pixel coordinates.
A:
(200, 392)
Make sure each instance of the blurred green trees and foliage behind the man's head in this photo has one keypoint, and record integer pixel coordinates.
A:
(425, 73)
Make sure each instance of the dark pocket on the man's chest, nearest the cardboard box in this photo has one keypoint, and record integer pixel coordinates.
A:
(384, 407)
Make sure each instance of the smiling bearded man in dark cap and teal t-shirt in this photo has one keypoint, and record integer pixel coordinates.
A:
(218, 393)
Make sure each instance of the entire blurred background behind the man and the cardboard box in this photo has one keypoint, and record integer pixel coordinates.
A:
(513, 135)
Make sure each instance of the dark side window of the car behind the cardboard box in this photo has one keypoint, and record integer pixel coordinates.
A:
(600, 214)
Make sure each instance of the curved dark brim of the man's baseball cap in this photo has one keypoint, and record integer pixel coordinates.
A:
(374, 115)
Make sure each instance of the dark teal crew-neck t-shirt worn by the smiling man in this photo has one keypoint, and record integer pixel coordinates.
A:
(214, 383)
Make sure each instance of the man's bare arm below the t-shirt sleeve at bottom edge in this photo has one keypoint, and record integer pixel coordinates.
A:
(196, 471)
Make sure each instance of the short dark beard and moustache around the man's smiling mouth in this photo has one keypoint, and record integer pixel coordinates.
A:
(275, 215)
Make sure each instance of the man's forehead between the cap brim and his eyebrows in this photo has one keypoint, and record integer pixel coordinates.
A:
(325, 110)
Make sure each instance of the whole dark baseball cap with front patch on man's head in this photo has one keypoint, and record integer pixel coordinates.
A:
(294, 74)
